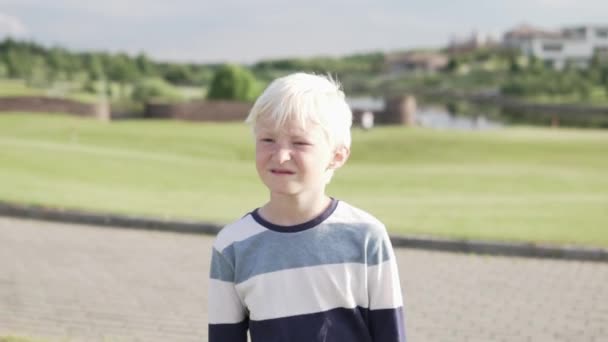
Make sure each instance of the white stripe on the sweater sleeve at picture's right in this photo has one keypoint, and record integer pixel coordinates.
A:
(384, 286)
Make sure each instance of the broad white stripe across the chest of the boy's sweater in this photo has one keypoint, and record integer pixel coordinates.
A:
(304, 290)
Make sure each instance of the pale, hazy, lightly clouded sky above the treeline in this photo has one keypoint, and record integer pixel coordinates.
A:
(243, 31)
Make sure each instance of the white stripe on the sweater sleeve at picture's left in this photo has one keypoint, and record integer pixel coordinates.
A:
(225, 307)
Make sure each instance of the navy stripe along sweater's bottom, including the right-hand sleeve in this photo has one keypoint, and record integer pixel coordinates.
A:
(337, 325)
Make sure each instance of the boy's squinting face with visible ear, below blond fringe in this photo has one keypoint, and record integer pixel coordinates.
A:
(293, 160)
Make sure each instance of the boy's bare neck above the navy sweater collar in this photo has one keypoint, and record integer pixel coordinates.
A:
(294, 210)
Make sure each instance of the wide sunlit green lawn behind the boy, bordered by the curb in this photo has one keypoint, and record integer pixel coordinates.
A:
(518, 184)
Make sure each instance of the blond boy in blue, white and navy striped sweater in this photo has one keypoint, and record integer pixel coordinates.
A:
(303, 267)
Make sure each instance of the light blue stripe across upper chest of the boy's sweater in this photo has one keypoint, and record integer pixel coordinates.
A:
(327, 244)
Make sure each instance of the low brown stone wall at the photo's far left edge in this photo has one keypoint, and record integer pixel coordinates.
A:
(54, 105)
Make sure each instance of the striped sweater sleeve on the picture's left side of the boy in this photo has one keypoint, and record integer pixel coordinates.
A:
(228, 319)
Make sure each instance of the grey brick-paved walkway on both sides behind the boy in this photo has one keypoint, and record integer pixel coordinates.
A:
(65, 282)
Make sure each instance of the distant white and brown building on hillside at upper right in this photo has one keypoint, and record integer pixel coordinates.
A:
(574, 45)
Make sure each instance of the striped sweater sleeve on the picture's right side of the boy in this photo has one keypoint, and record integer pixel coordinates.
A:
(386, 321)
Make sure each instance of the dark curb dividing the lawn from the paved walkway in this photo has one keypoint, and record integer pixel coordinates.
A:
(530, 250)
